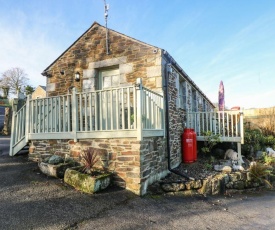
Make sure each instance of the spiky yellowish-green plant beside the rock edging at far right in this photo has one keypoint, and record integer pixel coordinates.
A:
(259, 171)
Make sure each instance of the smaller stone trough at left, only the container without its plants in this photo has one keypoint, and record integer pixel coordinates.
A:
(52, 170)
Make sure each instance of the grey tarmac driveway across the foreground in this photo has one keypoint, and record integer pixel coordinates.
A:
(30, 200)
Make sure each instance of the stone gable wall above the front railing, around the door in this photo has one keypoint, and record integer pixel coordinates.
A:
(87, 56)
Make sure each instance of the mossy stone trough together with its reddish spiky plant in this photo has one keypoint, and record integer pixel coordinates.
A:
(88, 178)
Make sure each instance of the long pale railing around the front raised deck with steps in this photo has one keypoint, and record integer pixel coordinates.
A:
(132, 111)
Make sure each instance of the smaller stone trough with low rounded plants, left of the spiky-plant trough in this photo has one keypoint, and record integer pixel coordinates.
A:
(55, 165)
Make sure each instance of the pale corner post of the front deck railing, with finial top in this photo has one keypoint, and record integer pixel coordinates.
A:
(139, 108)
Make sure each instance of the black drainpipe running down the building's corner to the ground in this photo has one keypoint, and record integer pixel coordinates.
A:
(167, 70)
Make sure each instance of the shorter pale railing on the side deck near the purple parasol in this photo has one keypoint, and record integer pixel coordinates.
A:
(228, 124)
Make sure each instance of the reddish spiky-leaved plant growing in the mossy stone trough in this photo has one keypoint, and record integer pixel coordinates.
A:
(89, 158)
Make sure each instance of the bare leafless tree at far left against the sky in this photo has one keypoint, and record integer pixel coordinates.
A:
(15, 78)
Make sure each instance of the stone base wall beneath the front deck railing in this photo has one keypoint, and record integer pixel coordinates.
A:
(136, 164)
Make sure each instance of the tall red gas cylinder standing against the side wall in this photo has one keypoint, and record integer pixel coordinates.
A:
(187, 146)
